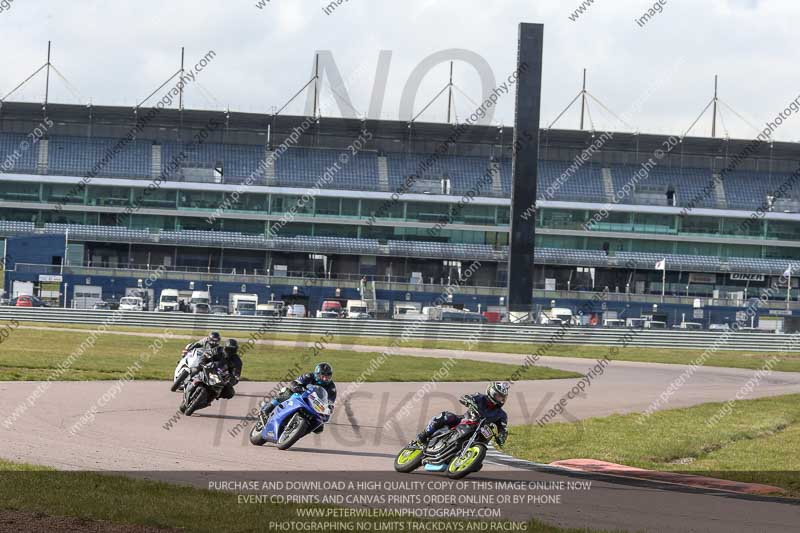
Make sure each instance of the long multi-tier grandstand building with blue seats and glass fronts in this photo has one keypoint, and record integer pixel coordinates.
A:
(302, 208)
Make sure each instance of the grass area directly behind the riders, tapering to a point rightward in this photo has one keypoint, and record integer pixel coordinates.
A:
(33, 355)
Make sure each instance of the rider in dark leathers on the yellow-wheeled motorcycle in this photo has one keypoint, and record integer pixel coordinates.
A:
(488, 406)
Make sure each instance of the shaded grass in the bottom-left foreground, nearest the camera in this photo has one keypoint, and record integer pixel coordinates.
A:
(124, 500)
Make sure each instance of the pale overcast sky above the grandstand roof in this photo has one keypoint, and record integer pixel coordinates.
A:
(658, 76)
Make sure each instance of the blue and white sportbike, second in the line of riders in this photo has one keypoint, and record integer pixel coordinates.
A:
(304, 412)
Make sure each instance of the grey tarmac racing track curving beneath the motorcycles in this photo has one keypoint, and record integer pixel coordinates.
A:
(129, 434)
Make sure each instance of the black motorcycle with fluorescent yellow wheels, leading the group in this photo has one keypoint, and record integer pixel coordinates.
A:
(458, 451)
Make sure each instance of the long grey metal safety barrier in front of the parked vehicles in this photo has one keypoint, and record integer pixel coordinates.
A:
(524, 334)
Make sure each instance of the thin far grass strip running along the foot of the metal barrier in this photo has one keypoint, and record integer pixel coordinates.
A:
(790, 362)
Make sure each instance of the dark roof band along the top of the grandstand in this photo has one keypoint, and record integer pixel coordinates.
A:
(390, 135)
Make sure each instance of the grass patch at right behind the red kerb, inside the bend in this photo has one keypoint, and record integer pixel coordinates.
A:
(757, 442)
